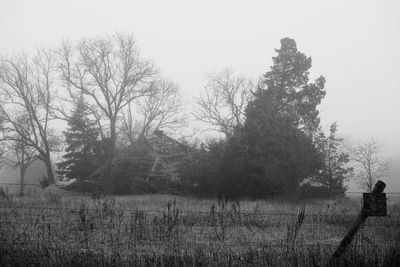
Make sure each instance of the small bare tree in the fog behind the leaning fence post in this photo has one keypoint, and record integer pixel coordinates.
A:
(370, 163)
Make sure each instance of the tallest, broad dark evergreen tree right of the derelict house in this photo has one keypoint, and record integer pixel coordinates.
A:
(281, 124)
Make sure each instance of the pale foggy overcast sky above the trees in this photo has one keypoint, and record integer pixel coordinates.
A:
(354, 44)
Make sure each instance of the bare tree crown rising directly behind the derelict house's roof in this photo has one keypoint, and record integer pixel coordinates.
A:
(159, 110)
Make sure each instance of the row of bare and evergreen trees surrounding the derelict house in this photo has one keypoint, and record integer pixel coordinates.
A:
(273, 143)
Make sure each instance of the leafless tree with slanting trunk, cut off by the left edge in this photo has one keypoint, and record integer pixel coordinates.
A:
(26, 94)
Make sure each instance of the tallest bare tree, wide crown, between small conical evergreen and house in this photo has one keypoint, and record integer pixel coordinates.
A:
(111, 74)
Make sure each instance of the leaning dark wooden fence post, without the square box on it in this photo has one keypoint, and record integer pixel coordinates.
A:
(362, 216)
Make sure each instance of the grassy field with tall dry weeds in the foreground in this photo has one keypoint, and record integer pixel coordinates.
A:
(167, 230)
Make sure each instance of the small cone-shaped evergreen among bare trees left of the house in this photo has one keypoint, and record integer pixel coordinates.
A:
(83, 149)
